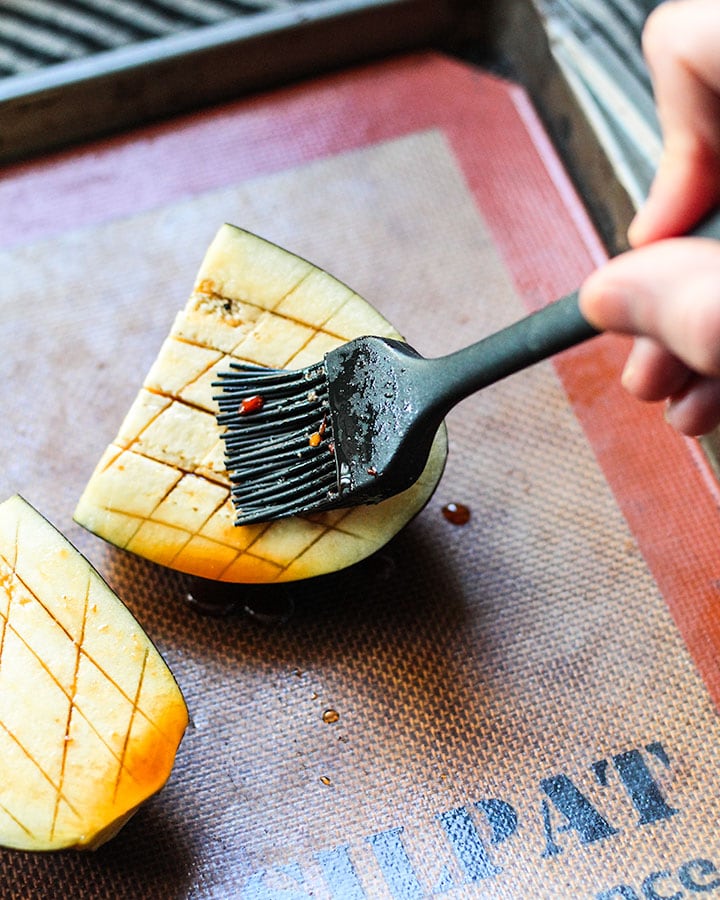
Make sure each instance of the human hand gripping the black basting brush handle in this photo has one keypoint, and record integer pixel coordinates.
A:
(667, 289)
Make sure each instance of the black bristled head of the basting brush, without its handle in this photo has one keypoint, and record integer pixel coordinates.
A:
(323, 437)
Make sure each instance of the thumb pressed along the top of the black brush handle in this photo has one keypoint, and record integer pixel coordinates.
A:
(669, 291)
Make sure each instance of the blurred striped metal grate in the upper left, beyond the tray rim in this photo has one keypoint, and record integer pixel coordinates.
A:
(39, 33)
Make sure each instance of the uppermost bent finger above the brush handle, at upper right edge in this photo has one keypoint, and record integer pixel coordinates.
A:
(680, 46)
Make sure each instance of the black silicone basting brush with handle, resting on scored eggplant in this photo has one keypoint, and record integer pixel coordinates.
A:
(357, 427)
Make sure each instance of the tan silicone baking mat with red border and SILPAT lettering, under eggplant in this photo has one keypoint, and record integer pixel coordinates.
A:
(521, 706)
